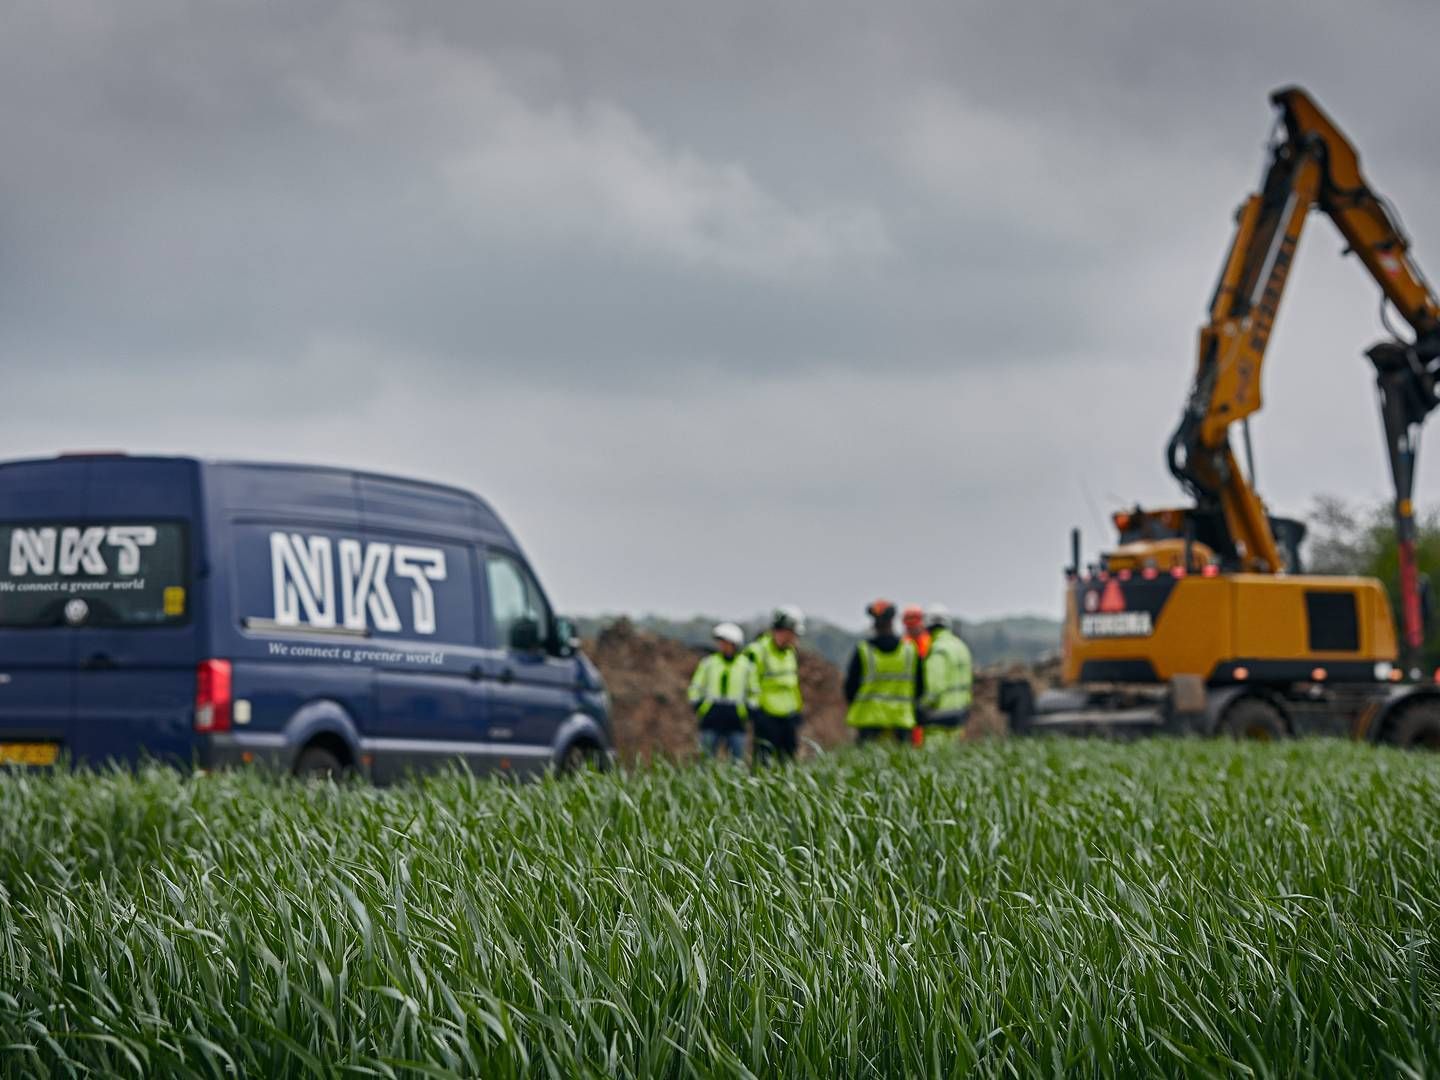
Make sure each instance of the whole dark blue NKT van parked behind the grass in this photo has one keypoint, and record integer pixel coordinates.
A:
(315, 620)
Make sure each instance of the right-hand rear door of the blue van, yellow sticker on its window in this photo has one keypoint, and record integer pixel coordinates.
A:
(138, 647)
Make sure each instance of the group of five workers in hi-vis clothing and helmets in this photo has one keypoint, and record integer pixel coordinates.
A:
(909, 688)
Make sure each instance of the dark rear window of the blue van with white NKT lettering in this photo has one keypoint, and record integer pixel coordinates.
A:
(93, 574)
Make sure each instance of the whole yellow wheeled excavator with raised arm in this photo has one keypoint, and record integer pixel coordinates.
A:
(1202, 620)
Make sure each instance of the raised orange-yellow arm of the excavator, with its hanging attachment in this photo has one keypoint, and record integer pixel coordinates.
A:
(1313, 166)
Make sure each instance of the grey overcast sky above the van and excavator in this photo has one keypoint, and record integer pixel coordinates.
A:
(722, 305)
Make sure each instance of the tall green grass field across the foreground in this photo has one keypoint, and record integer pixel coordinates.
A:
(1009, 909)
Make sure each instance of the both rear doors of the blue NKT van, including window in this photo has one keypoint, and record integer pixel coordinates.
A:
(99, 630)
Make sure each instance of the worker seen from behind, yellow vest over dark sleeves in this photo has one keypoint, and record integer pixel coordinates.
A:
(885, 680)
